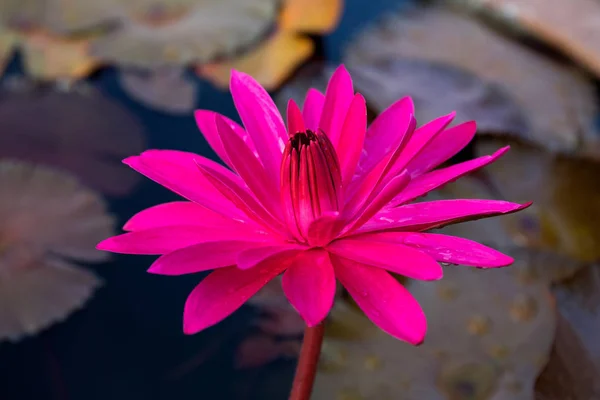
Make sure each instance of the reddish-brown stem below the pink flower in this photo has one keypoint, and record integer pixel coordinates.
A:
(307, 363)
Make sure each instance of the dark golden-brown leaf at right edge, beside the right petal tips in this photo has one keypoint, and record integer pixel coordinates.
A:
(566, 194)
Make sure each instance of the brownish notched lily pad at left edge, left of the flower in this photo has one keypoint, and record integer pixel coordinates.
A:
(49, 221)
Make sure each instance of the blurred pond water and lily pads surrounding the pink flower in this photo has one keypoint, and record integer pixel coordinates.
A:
(84, 84)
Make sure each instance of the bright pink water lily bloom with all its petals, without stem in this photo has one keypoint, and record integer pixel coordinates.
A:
(325, 199)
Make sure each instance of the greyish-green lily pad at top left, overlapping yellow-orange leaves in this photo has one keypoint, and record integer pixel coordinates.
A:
(153, 34)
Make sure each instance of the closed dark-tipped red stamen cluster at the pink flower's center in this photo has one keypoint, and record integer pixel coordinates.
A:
(310, 181)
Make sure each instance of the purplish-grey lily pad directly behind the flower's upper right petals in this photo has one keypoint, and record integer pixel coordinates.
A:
(437, 89)
